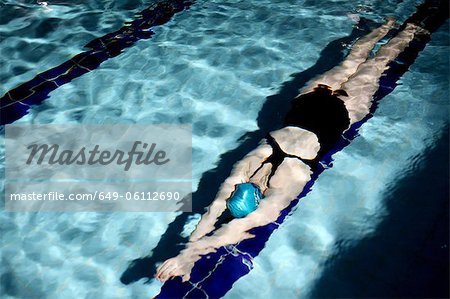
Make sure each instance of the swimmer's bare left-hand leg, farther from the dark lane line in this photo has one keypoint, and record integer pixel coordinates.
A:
(358, 54)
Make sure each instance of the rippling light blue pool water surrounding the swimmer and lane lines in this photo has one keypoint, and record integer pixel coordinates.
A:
(214, 66)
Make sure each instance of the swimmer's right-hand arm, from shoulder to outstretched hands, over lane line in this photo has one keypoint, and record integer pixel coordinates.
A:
(285, 185)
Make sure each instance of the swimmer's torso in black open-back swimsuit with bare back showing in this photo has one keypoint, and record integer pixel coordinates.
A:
(314, 124)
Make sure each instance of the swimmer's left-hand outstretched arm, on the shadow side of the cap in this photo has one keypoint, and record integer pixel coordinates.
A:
(241, 173)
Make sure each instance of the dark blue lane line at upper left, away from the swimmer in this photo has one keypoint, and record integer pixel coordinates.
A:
(17, 102)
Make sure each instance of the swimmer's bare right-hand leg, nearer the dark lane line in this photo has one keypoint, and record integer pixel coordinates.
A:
(365, 82)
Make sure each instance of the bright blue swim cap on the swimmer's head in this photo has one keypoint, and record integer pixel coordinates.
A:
(244, 200)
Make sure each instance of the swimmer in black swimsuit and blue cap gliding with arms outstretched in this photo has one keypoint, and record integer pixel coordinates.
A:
(271, 176)
